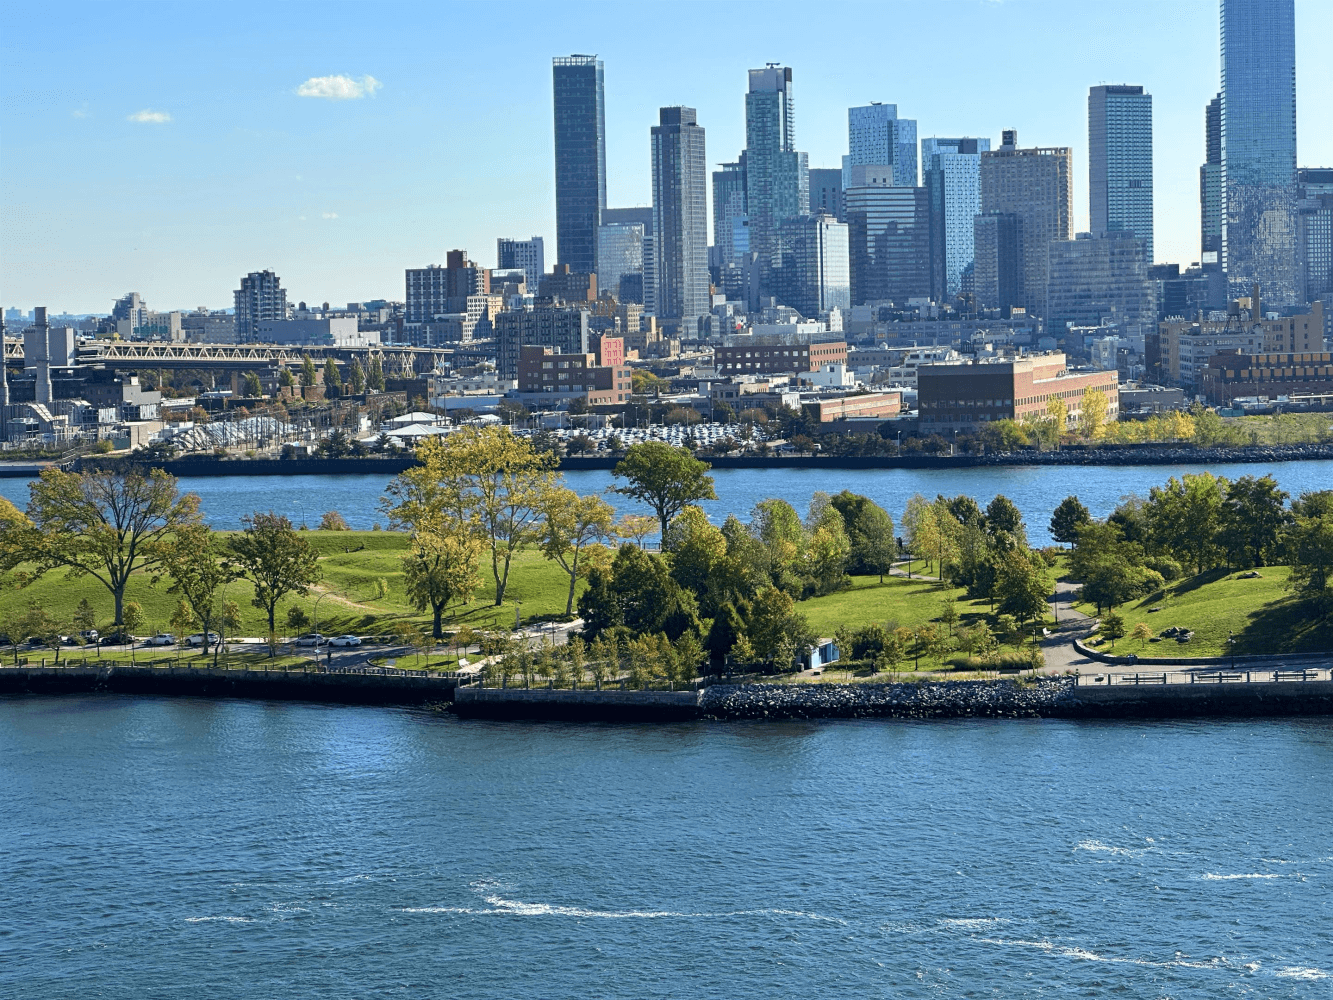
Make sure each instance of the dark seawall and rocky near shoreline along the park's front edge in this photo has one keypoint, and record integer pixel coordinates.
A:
(1047, 698)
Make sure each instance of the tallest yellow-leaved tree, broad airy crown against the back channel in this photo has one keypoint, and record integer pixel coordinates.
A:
(485, 478)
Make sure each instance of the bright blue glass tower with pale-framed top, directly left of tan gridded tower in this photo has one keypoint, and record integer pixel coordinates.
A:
(952, 178)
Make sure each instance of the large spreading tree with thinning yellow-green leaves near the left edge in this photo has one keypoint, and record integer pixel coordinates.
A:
(102, 525)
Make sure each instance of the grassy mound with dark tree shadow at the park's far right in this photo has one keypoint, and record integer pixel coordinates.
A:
(1263, 614)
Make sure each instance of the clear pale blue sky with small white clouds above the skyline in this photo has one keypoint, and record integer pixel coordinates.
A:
(170, 149)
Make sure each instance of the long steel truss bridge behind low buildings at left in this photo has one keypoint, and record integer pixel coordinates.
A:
(397, 361)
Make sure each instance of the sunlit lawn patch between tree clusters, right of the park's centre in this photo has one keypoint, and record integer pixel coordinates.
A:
(908, 603)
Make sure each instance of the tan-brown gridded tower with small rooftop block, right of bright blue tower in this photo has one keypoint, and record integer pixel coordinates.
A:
(1038, 187)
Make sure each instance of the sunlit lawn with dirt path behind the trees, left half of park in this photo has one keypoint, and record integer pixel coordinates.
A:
(353, 563)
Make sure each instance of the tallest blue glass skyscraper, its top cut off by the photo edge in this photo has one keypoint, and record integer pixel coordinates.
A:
(1259, 147)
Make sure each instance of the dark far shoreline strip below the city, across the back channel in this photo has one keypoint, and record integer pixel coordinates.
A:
(1072, 455)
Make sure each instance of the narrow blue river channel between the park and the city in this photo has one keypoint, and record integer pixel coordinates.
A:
(1035, 489)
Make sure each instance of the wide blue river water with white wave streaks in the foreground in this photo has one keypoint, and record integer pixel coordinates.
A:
(166, 849)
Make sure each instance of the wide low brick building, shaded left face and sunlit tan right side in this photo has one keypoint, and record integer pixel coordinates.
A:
(966, 397)
